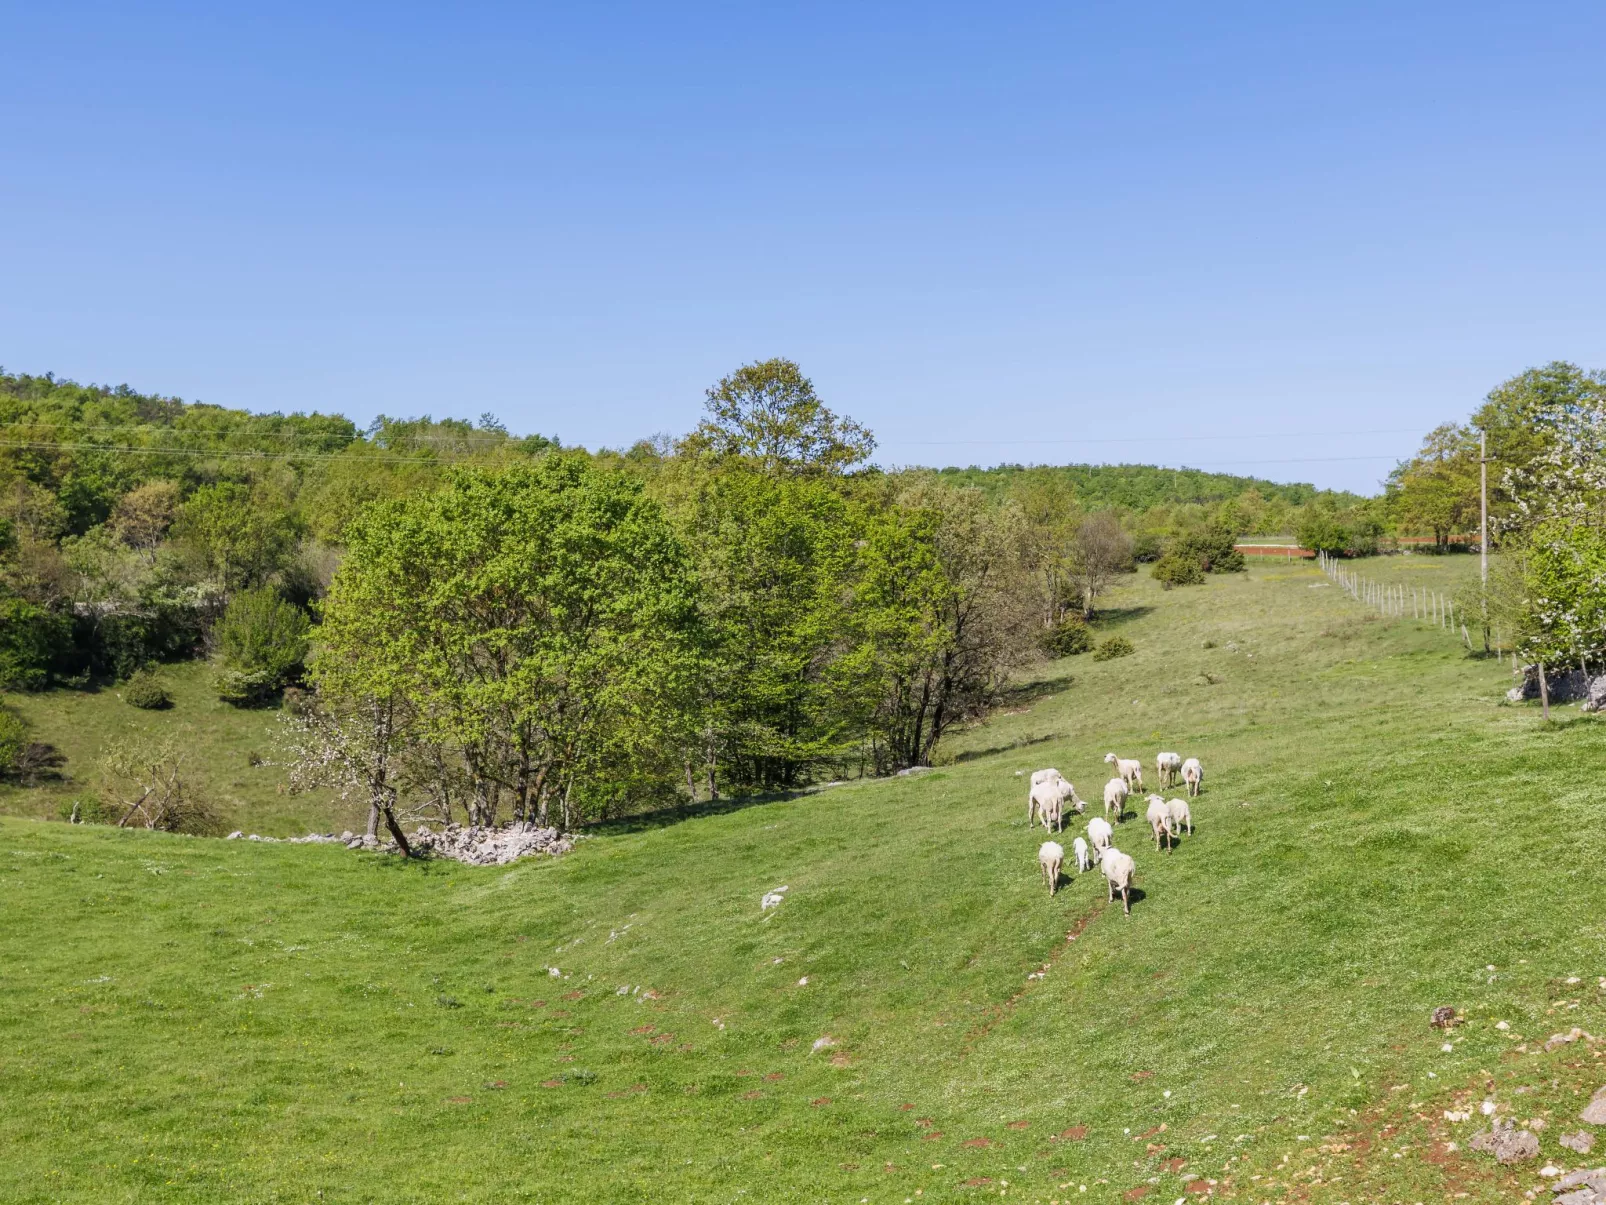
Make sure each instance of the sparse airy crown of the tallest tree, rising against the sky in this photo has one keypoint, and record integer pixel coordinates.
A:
(770, 414)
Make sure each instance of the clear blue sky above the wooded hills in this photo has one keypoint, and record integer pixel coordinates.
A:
(990, 232)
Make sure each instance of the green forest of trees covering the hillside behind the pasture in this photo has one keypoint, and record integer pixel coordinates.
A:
(465, 623)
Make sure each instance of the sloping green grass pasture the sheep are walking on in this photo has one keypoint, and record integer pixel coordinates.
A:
(185, 1019)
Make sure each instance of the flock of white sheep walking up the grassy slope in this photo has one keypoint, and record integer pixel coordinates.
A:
(1051, 793)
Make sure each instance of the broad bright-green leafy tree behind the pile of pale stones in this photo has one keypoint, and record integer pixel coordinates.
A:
(539, 621)
